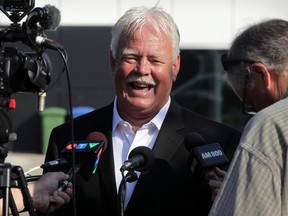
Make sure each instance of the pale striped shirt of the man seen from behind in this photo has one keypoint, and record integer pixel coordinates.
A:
(257, 180)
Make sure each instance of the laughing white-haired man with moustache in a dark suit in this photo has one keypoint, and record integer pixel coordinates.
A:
(145, 61)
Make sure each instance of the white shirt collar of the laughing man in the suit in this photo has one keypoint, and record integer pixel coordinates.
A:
(157, 120)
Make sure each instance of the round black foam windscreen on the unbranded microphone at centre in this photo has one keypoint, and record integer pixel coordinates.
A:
(146, 153)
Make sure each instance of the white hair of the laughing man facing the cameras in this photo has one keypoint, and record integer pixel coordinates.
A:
(135, 18)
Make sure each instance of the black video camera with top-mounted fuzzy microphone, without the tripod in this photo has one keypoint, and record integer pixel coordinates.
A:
(26, 71)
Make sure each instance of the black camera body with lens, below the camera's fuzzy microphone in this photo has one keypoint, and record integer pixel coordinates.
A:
(23, 72)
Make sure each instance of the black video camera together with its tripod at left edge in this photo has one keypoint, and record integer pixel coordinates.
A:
(22, 72)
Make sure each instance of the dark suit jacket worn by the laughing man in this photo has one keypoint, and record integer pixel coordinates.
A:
(168, 188)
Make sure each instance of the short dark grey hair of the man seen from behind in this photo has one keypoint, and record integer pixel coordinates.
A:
(265, 42)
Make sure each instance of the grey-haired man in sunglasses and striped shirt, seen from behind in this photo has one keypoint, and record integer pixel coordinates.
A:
(257, 69)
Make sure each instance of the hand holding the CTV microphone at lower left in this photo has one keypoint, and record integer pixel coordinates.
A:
(45, 191)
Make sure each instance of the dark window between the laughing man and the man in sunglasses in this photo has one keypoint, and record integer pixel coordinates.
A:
(201, 86)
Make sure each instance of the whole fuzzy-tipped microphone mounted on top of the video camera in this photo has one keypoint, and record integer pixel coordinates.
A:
(48, 17)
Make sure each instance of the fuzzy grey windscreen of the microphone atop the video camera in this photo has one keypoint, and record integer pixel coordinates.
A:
(53, 17)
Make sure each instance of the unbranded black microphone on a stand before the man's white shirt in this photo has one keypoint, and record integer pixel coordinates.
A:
(140, 158)
